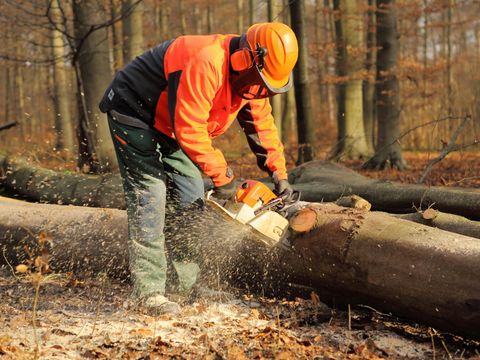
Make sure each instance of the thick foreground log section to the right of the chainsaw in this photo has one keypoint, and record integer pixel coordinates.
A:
(392, 264)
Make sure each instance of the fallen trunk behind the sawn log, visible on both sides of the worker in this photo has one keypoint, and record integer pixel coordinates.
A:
(318, 181)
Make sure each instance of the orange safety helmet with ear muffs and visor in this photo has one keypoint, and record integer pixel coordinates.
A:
(263, 64)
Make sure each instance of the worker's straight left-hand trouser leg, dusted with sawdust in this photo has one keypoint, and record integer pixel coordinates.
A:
(143, 175)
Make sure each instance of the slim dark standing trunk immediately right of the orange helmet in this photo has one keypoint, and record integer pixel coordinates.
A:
(305, 128)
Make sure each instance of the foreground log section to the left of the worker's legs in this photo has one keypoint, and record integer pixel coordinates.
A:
(90, 240)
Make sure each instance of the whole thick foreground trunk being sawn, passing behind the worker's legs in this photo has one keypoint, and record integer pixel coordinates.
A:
(411, 270)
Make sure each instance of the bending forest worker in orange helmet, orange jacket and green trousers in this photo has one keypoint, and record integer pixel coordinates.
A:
(165, 107)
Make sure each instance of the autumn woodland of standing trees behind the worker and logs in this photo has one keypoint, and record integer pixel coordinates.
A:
(373, 78)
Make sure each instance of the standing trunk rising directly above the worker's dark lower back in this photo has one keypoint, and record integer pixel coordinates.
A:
(132, 29)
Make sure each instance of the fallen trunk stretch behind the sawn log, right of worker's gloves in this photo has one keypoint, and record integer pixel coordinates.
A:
(323, 181)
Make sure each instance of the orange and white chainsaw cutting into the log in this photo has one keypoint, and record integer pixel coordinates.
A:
(257, 206)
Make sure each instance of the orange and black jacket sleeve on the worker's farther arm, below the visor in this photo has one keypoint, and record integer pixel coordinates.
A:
(256, 120)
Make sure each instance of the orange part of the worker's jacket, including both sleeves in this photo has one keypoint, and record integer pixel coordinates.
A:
(198, 105)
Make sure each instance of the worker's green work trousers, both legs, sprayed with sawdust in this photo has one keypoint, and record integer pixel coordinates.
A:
(154, 169)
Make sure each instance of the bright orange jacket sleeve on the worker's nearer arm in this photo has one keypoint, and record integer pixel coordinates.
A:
(191, 93)
